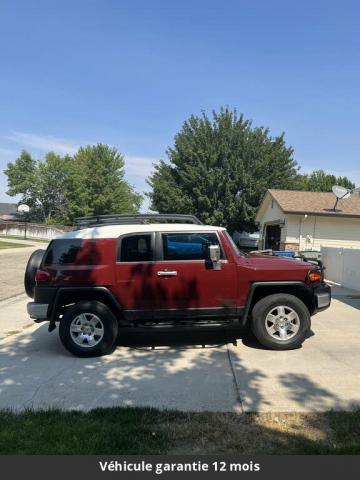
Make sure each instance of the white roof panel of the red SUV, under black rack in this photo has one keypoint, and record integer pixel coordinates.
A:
(114, 231)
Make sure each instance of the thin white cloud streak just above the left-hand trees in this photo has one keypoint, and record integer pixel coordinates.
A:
(43, 142)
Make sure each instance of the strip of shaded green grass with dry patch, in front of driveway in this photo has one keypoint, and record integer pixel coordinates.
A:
(150, 431)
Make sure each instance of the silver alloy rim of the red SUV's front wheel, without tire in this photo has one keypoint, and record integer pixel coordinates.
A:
(282, 322)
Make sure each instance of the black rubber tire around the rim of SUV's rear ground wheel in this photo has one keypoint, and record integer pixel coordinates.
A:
(108, 320)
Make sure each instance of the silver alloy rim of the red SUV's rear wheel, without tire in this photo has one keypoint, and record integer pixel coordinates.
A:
(87, 330)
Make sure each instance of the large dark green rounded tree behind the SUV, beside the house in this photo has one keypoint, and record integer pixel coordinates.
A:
(220, 168)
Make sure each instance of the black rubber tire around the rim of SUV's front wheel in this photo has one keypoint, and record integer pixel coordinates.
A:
(269, 304)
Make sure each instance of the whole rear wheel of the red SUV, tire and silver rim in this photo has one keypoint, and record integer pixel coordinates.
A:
(88, 329)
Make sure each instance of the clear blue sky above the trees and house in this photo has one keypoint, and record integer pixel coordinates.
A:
(128, 73)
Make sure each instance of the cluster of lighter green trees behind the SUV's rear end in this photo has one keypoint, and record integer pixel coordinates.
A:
(57, 189)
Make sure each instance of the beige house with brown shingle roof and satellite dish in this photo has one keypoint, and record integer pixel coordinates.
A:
(297, 220)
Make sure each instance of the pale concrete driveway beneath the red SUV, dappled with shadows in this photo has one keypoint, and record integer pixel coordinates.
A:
(35, 370)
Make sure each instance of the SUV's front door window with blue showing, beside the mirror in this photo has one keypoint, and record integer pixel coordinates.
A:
(188, 246)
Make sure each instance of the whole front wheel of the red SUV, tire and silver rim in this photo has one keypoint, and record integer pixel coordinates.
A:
(280, 321)
